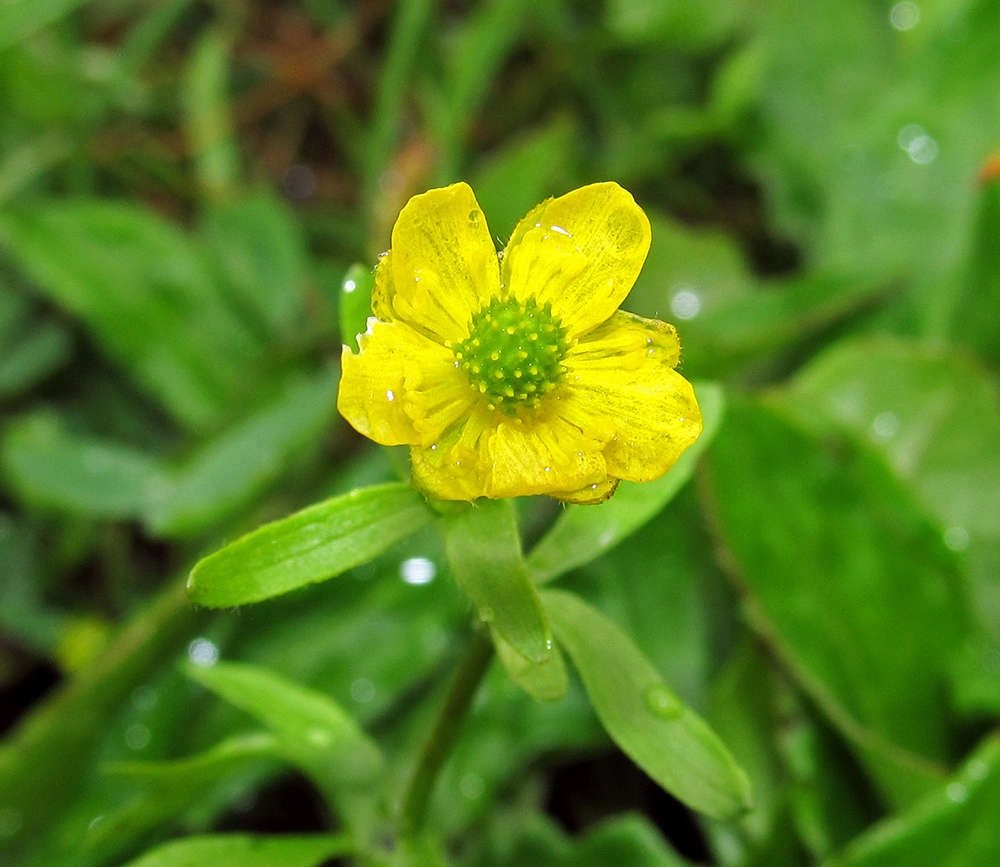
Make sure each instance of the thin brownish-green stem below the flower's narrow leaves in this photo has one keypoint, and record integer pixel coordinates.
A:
(469, 675)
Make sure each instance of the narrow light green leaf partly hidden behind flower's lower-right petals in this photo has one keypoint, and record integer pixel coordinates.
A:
(584, 532)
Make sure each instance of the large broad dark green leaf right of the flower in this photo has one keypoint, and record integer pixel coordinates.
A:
(833, 555)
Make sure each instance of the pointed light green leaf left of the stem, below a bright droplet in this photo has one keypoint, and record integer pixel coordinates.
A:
(312, 730)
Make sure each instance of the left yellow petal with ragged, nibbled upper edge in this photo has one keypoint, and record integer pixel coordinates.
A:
(402, 388)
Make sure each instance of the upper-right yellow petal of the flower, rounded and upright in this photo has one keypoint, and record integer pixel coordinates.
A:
(580, 252)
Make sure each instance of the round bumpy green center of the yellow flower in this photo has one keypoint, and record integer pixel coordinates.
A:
(514, 353)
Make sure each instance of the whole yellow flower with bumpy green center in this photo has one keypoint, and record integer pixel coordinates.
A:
(519, 375)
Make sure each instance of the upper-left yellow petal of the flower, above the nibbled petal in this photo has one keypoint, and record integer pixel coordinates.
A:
(443, 263)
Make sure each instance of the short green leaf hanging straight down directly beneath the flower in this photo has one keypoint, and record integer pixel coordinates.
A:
(484, 549)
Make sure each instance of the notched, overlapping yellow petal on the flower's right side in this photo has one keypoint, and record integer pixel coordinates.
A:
(621, 385)
